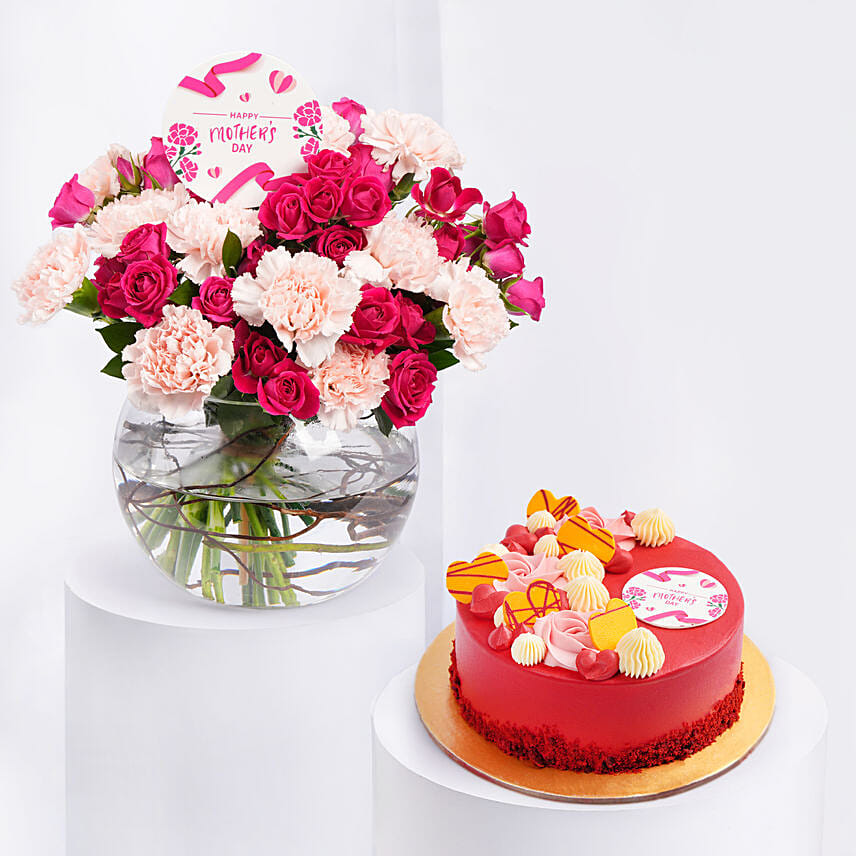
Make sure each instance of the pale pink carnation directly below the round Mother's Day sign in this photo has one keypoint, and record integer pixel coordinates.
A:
(198, 230)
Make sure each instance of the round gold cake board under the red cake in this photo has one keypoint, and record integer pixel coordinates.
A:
(441, 717)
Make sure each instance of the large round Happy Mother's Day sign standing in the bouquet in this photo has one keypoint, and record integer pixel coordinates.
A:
(238, 121)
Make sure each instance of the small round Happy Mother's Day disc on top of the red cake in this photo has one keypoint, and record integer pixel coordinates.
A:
(675, 598)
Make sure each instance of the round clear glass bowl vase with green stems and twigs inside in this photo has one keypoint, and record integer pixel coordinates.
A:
(242, 508)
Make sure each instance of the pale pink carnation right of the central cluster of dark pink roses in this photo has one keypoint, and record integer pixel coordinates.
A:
(402, 253)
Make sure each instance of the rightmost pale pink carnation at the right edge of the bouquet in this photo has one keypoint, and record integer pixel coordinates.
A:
(475, 315)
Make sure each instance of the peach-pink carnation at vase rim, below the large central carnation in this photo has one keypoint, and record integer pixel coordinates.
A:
(351, 382)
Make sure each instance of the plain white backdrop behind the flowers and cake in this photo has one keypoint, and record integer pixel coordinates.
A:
(689, 172)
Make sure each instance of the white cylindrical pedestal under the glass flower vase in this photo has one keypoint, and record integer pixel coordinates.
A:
(195, 729)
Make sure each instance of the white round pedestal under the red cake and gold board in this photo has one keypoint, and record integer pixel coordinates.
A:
(425, 803)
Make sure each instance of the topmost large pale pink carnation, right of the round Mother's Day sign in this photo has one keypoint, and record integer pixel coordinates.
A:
(409, 142)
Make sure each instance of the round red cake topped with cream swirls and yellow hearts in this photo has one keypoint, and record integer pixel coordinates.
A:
(649, 677)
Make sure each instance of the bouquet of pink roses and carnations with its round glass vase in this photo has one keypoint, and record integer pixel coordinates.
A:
(277, 358)
